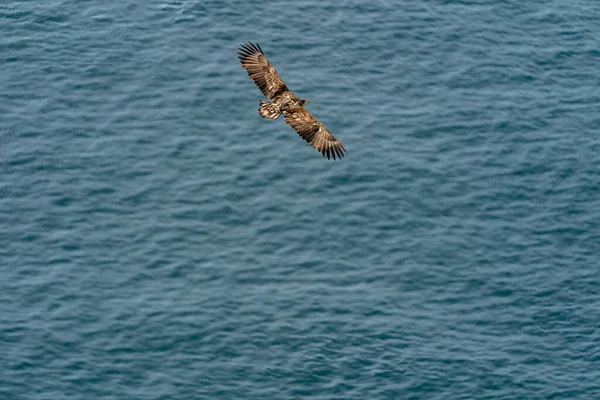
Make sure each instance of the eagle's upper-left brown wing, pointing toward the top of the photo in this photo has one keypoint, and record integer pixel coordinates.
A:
(260, 70)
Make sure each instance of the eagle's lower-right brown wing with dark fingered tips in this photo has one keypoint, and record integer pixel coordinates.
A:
(314, 132)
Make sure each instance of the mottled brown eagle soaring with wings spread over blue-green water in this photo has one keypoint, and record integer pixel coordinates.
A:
(283, 101)
